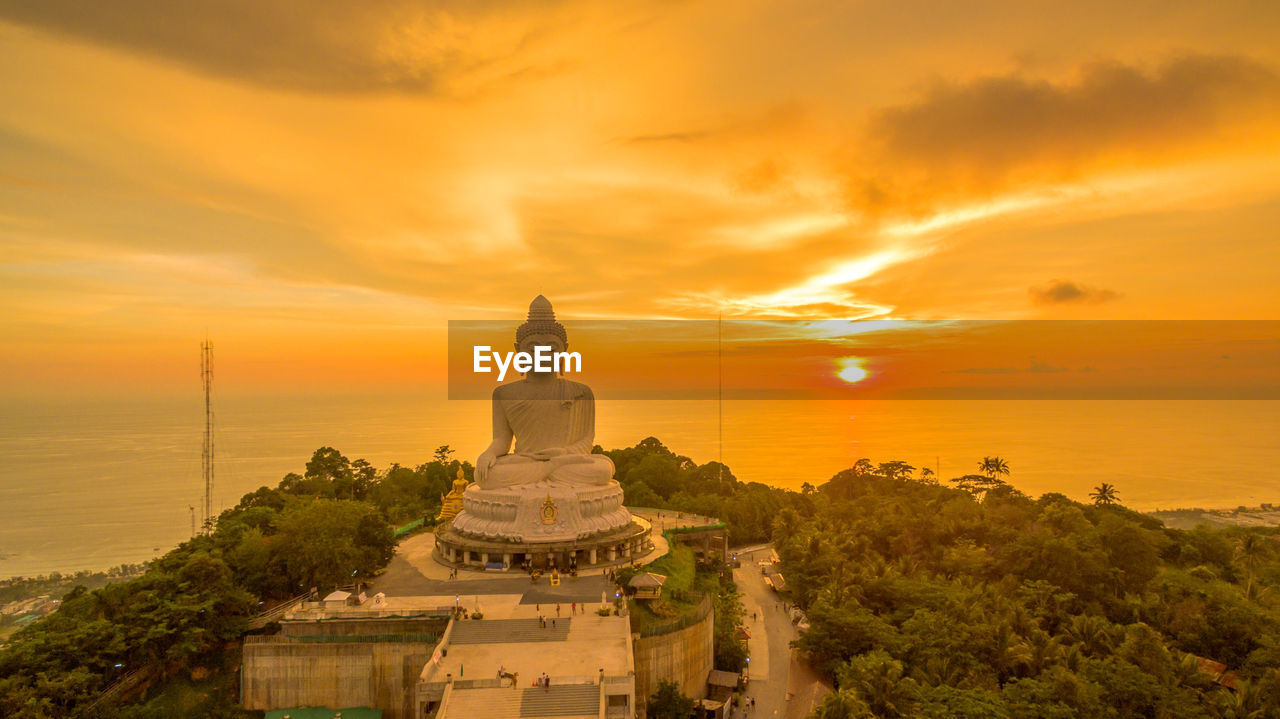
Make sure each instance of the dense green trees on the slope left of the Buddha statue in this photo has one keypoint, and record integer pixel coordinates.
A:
(318, 530)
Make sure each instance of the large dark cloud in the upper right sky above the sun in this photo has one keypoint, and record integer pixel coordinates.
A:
(972, 141)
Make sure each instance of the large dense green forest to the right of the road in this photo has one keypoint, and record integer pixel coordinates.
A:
(932, 602)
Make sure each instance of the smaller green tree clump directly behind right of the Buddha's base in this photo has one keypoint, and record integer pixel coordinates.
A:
(656, 477)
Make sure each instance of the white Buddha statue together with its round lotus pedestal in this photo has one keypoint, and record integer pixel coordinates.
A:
(548, 487)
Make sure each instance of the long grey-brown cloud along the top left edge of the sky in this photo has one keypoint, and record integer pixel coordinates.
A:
(312, 45)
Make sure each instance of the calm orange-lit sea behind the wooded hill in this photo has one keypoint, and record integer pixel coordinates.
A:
(89, 484)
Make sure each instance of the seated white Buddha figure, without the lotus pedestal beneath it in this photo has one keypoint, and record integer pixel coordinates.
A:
(552, 420)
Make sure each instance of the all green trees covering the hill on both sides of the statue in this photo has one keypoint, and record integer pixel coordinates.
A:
(924, 601)
